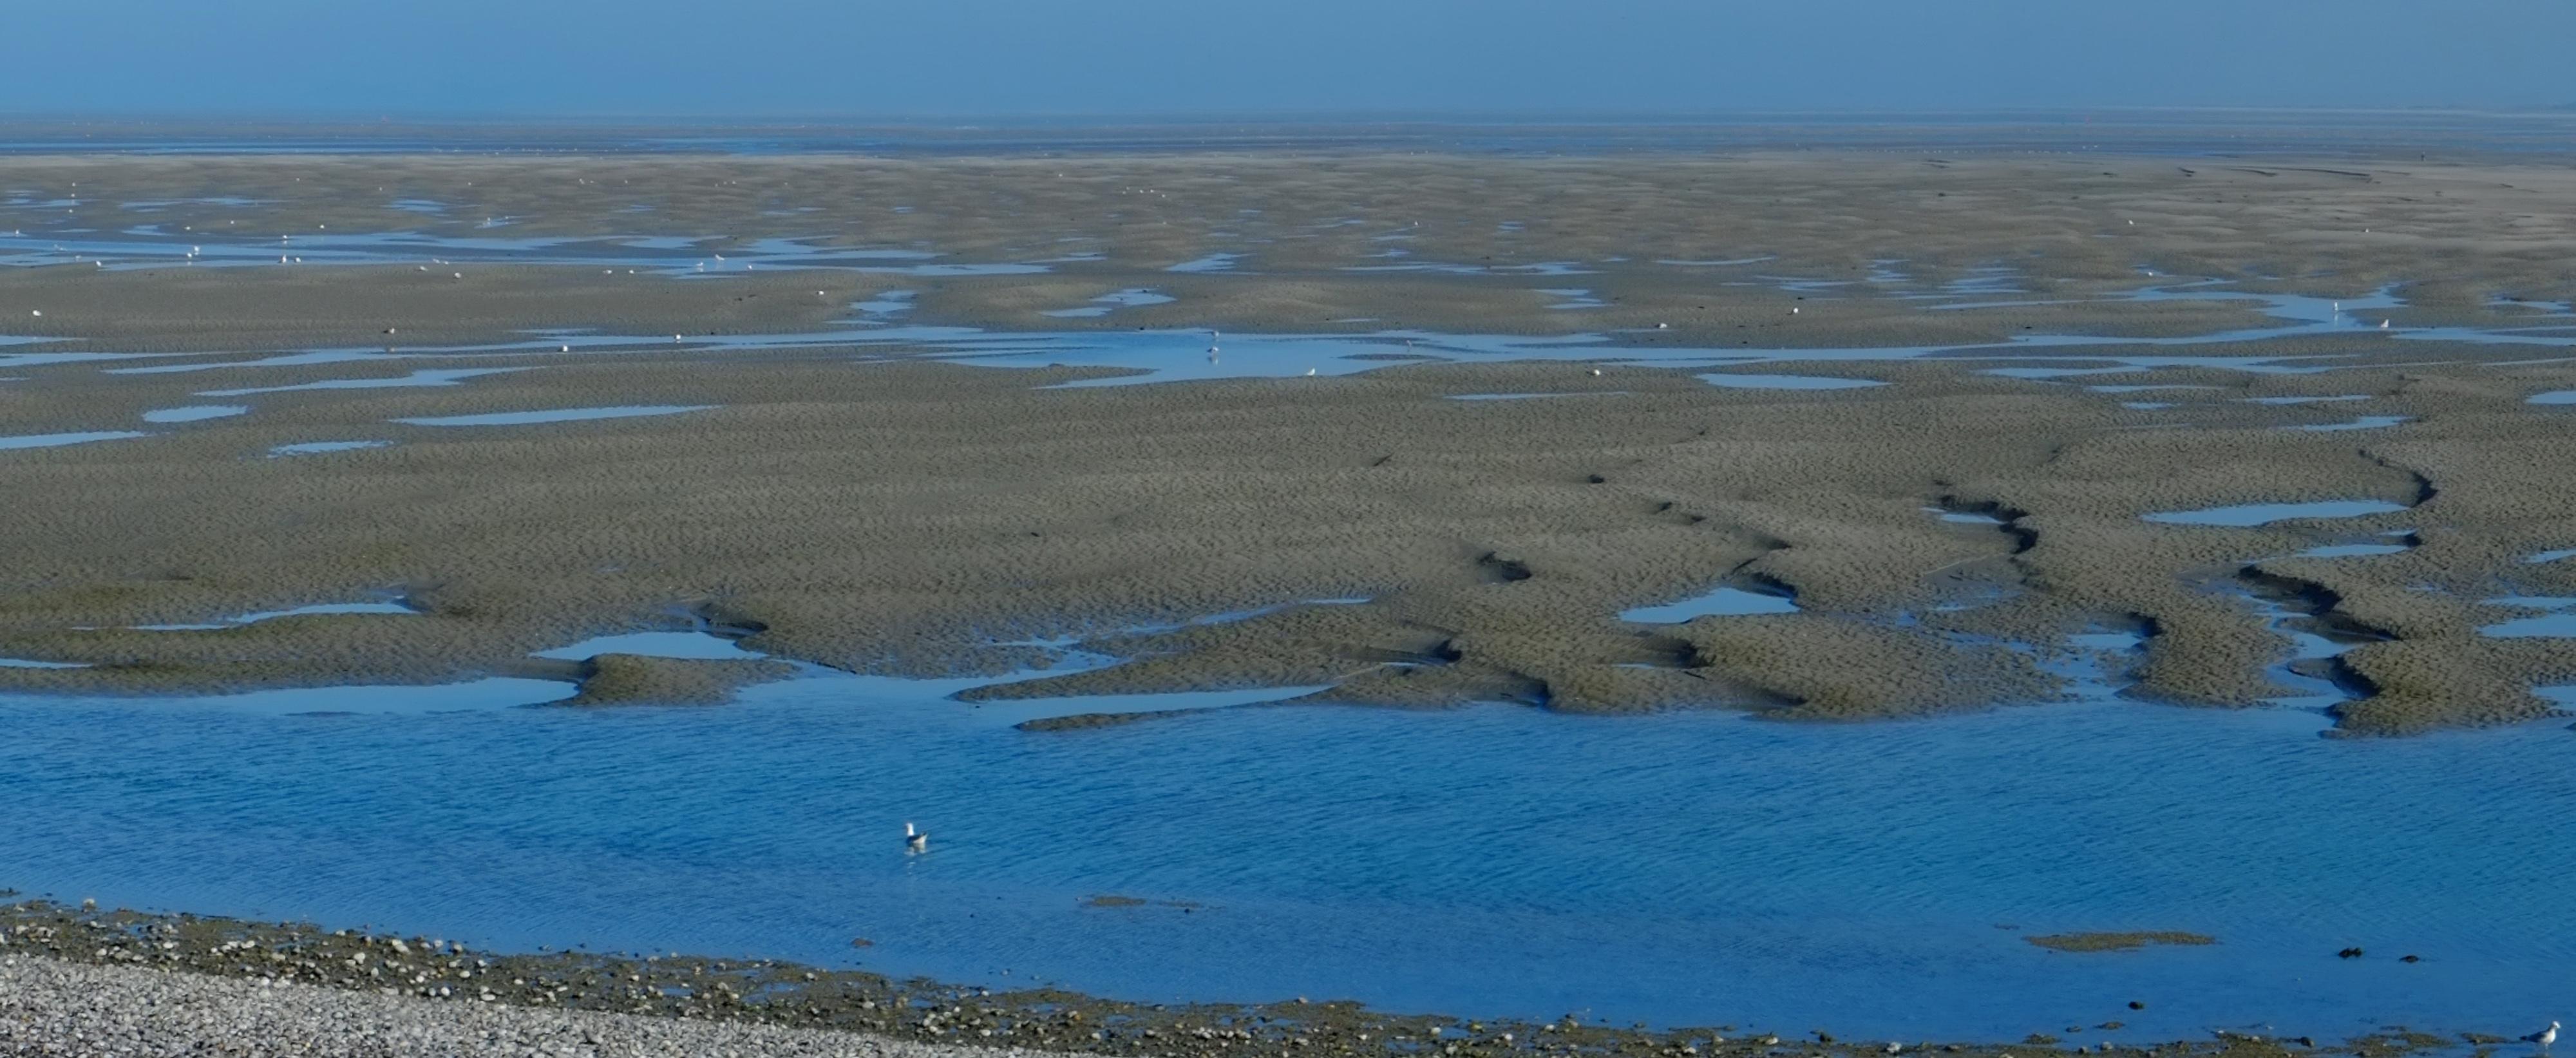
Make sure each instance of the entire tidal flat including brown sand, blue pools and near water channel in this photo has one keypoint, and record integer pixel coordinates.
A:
(1282, 599)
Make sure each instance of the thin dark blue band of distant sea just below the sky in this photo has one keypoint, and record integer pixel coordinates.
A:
(2206, 133)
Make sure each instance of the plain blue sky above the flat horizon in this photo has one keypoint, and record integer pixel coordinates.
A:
(1145, 58)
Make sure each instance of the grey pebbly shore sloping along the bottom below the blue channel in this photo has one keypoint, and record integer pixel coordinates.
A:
(79, 979)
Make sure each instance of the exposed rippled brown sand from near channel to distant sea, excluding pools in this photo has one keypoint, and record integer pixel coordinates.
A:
(880, 511)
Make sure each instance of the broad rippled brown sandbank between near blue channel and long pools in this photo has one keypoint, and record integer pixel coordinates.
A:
(921, 519)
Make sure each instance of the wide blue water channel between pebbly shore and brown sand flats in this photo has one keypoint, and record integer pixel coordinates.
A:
(1683, 869)
